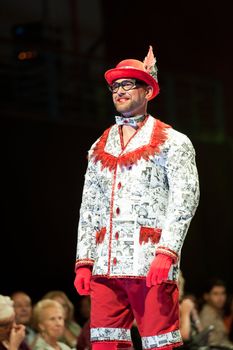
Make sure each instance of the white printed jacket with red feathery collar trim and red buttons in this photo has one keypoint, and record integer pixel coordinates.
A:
(138, 200)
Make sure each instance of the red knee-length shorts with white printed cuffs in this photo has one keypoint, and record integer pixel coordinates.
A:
(115, 303)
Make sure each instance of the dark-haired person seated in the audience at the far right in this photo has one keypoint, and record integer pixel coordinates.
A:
(213, 311)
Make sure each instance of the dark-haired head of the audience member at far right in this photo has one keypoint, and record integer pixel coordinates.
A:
(215, 293)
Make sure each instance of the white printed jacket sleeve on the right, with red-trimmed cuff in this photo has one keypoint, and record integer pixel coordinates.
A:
(183, 184)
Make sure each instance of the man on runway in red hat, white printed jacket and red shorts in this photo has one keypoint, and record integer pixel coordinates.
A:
(140, 194)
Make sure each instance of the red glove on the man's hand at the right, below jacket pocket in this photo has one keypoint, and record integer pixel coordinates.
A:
(159, 269)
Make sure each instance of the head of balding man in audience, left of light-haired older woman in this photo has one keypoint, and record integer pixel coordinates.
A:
(23, 307)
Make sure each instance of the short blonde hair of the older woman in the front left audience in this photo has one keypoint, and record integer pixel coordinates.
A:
(39, 309)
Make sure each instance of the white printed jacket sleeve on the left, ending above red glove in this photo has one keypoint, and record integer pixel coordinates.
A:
(88, 218)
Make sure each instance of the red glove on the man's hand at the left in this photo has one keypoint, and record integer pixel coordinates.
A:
(82, 280)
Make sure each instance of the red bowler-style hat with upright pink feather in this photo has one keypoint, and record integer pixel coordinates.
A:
(130, 68)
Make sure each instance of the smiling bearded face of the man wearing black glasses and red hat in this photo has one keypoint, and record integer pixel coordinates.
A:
(133, 101)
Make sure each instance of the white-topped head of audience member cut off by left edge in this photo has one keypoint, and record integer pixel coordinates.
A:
(7, 317)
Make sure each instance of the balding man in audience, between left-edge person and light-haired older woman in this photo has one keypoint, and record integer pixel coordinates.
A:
(23, 314)
